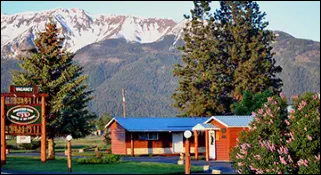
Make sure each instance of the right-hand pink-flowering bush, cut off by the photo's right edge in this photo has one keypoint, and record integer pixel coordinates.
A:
(304, 125)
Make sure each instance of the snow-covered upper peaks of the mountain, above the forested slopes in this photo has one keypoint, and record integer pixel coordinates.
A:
(80, 28)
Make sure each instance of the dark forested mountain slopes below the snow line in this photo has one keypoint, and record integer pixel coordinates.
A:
(145, 72)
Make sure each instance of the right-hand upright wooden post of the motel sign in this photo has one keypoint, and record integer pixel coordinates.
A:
(43, 130)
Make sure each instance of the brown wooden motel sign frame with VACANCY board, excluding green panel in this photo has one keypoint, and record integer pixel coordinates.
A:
(25, 96)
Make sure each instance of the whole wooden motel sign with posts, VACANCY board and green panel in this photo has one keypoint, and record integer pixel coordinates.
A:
(23, 114)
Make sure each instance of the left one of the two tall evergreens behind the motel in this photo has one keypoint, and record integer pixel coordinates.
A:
(202, 81)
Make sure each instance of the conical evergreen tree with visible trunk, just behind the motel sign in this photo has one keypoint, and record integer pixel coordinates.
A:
(51, 68)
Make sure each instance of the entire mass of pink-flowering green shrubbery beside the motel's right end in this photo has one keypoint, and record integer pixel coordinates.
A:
(281, 142)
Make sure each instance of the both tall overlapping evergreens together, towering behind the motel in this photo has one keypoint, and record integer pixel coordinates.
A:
(224, 56)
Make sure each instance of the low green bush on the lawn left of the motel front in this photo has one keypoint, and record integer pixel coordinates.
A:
(106, 159)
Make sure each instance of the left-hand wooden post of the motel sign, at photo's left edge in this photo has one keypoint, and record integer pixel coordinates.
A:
(3, 132)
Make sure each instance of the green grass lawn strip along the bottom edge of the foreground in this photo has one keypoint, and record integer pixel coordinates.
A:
(33, 164)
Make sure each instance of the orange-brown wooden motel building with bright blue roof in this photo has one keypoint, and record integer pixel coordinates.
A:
(212, 137)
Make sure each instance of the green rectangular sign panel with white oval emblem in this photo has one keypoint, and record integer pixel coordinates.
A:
(23, 114)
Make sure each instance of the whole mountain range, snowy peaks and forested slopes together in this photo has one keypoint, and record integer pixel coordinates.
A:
(137, 54)
